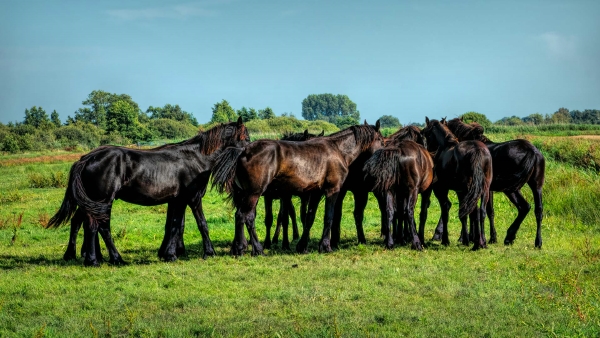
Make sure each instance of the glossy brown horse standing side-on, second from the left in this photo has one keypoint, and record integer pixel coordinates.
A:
(310, 169)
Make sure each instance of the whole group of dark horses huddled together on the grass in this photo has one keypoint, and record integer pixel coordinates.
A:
(445, 155)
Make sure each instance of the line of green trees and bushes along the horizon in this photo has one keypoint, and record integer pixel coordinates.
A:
(108, 118)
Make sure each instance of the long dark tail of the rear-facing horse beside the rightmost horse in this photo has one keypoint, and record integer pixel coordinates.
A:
(477, 185)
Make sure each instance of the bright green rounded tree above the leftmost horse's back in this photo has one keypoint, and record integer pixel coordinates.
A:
(122, 118)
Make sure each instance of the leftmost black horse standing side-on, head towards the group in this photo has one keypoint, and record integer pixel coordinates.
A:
(176, 174)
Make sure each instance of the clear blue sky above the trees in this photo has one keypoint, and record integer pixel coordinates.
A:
(408, 59)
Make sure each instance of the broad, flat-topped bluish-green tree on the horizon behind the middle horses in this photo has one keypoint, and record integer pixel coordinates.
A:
(329, 107)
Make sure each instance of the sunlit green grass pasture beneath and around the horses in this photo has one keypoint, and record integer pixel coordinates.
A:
(359, 290)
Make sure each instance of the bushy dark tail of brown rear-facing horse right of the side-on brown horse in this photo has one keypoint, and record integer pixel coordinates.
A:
(381, 169)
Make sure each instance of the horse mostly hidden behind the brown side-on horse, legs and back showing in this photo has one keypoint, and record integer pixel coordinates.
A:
(286, 206)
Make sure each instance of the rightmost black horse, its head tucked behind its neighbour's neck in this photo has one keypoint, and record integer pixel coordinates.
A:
(515, 163)
